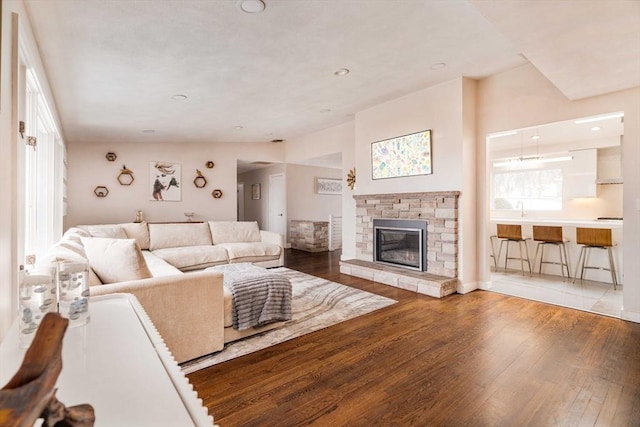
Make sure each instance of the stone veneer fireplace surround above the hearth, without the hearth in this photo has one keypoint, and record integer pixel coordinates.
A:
(440, 209)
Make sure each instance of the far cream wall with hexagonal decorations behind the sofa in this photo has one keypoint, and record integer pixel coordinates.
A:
(89, 168)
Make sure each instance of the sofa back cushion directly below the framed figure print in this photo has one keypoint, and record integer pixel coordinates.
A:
(163, 236)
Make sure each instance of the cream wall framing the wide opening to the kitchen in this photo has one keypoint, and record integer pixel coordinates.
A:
(522, 98)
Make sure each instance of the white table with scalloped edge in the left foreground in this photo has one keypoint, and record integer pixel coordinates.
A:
(120, 365)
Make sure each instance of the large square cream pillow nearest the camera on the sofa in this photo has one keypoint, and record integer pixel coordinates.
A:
(116, 260)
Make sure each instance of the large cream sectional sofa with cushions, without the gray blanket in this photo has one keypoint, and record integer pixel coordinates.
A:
(163, 264)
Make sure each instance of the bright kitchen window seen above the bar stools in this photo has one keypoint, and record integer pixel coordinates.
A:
(532, 189)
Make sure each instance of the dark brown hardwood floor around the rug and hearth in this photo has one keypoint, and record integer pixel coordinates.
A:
(481, 359)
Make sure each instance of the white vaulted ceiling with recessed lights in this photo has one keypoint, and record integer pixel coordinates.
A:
(116, 66)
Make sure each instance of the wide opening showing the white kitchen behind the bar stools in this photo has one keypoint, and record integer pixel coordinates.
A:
(565, 174)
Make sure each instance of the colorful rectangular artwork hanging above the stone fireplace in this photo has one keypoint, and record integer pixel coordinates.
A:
(406, 155)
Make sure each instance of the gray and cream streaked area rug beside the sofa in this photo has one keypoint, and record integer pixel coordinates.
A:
(317, 303)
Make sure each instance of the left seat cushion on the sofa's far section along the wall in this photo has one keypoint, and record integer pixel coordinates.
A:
(193, 257)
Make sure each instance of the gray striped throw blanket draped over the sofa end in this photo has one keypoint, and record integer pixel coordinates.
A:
(259, 297)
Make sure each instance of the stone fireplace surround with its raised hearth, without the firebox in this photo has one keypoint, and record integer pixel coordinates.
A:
(440, 212)
